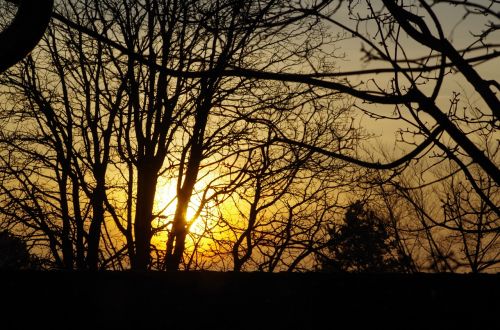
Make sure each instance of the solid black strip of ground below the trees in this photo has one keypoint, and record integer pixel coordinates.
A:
(128, 300)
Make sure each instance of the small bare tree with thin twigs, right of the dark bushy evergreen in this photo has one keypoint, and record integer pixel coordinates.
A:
(458, 230)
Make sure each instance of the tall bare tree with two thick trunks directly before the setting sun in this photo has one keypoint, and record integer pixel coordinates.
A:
(195, 37)
